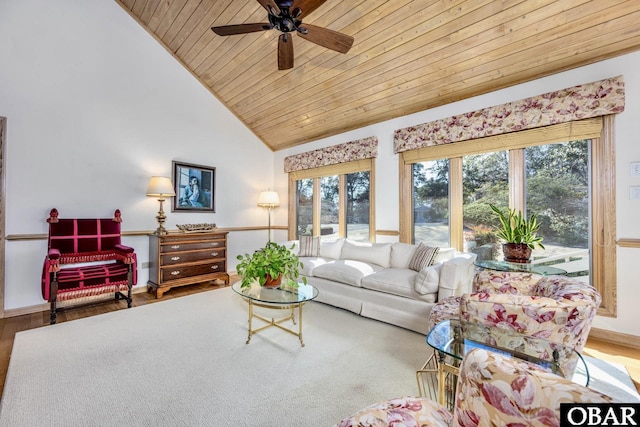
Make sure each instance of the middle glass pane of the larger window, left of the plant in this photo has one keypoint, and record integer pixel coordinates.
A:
(485, 181)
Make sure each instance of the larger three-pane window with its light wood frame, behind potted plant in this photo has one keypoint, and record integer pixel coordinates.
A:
(563, 175)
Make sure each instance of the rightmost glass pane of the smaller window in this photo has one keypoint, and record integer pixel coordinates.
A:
(358, 206)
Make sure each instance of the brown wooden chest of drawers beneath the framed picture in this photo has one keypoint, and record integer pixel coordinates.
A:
(179, 259)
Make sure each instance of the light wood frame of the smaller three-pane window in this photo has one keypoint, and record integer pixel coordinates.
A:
(341, 170)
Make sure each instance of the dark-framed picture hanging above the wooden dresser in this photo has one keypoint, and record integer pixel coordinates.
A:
(194, 186)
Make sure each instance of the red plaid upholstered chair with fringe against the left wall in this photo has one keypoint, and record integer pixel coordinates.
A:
(85, 258)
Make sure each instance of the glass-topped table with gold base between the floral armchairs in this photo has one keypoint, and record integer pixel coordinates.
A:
(451, 339)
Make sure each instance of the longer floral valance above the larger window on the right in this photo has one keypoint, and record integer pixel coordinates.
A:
(579, 102)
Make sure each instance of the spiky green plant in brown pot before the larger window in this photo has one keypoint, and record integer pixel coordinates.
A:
(519, 234)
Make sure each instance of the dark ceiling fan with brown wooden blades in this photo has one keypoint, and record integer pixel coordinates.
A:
(286, 17)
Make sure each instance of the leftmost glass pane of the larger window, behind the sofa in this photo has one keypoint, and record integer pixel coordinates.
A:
(431, 202)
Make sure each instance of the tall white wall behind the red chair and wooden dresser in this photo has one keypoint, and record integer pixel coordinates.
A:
(94, 107)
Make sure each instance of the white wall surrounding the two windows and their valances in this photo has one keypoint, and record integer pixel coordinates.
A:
(627, 150)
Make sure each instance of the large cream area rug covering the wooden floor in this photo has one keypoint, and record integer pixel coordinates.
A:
(184, 362)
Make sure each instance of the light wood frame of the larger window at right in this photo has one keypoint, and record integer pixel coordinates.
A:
(602, 198)
